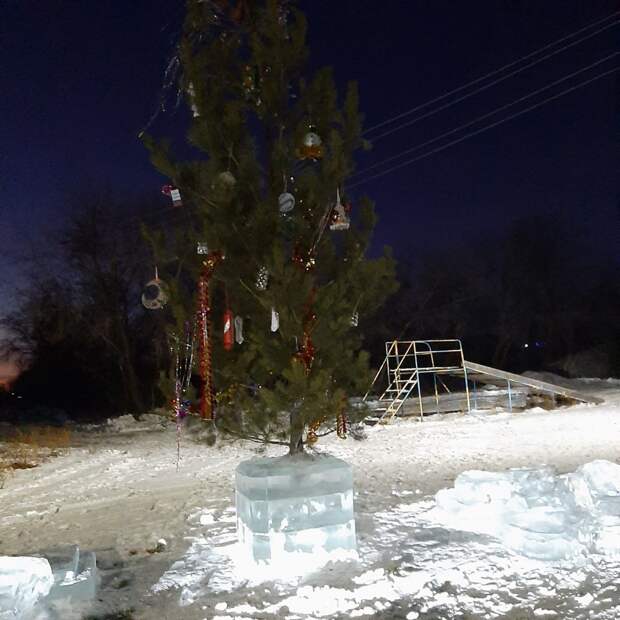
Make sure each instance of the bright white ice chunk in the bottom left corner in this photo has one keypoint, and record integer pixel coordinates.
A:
(23, 580)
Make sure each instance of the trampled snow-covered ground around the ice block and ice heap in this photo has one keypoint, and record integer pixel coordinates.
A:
(119, 492)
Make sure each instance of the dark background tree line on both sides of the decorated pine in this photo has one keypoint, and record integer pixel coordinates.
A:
(89, 348)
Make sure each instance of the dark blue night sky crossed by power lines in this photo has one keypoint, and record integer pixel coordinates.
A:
(81, 78)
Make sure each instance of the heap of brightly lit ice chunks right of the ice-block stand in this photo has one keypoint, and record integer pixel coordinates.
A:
(536, 513)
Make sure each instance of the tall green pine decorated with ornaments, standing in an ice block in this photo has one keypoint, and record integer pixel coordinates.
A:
(269, 276)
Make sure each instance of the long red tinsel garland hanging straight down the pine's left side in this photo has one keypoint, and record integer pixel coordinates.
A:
(203, 320)
